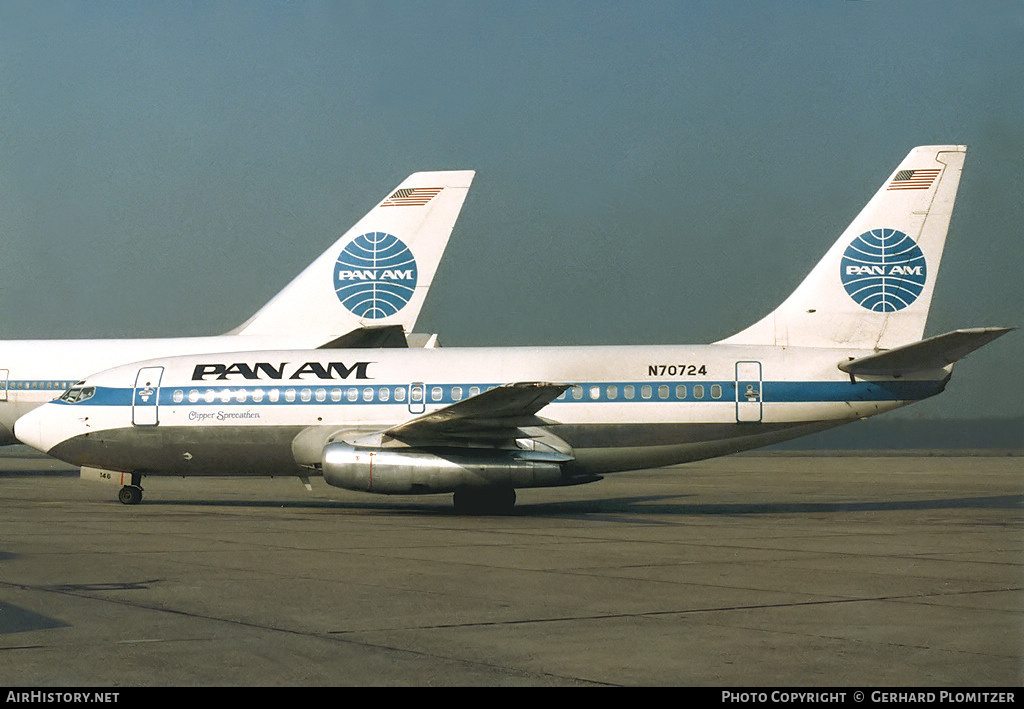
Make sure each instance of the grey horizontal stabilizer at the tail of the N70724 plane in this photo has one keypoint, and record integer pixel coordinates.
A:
(934, 353)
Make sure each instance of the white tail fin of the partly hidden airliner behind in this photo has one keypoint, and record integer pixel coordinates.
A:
(378, 273)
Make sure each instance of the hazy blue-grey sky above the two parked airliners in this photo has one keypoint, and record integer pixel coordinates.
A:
(648, 173)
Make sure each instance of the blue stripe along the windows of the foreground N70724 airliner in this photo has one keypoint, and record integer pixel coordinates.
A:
(589, 393)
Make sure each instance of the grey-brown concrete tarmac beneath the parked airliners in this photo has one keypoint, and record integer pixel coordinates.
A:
(749, 571)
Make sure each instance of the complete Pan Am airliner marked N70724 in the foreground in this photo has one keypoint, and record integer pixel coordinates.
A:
(480, 424)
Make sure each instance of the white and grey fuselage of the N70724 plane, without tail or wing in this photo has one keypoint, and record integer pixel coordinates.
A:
(627, 407)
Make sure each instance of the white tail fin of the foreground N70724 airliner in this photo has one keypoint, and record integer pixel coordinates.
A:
(874, 288)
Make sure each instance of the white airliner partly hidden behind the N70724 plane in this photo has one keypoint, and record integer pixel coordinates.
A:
(367, 290)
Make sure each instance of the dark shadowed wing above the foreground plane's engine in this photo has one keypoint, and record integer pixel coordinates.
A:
(492, 419)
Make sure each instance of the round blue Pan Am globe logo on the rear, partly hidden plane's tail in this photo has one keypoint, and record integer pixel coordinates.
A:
(375, 276)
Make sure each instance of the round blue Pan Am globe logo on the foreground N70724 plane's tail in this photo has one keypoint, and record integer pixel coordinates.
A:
(884, 271)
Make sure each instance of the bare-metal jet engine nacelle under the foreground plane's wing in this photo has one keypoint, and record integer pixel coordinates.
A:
(408, 473)
